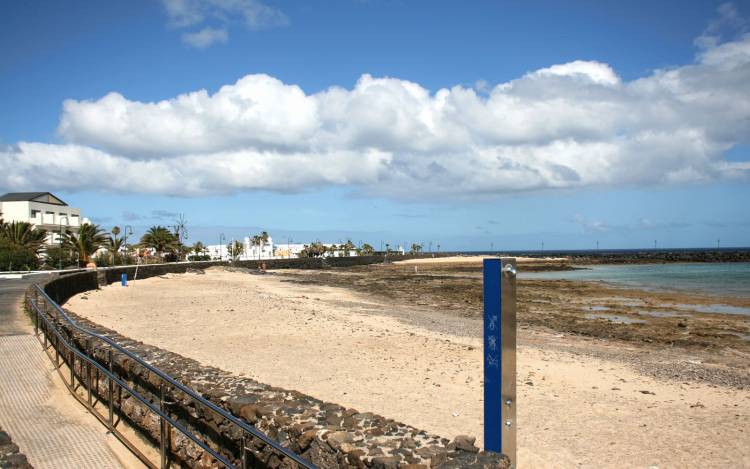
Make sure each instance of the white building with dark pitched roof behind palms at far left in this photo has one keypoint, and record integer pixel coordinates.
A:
(43, 210)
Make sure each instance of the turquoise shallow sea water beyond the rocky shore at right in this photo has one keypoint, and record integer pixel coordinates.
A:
(723, 279)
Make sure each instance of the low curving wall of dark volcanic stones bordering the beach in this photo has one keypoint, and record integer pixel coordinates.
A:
(324, 433)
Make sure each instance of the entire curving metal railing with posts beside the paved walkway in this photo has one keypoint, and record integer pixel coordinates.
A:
(53, 336)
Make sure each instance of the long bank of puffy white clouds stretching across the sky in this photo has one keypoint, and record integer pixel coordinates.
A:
(572, 125)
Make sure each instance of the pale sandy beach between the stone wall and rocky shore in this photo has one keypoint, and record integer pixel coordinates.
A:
(413, 353)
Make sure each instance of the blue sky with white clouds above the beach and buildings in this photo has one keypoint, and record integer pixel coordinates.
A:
(607, 148)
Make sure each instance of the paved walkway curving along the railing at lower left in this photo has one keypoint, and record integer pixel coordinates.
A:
(48, 426)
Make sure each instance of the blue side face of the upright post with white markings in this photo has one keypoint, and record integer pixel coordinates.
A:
(492, 349)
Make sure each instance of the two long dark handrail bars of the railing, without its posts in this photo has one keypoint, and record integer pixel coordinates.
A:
(188, 391)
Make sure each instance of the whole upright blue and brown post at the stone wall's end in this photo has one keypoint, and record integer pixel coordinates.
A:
(500, 356)
